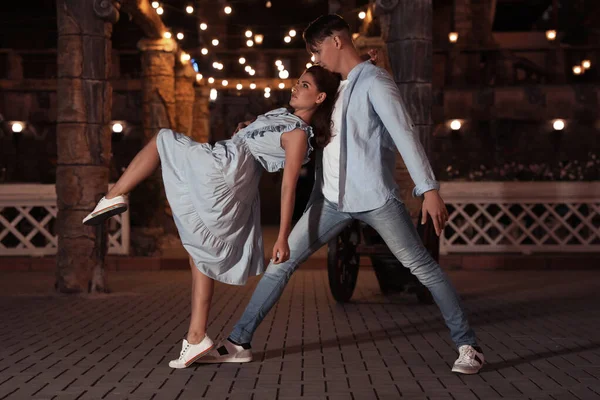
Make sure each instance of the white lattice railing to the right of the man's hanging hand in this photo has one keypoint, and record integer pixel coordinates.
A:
(521, 217)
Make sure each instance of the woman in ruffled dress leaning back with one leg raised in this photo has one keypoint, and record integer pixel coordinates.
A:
(213, 193)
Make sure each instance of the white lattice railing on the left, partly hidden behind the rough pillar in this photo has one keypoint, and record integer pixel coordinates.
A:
(28, 219)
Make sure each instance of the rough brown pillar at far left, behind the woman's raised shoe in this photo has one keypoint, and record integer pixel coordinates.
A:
(84, 98)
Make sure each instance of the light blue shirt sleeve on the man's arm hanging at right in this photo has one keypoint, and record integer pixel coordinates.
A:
(387, 103)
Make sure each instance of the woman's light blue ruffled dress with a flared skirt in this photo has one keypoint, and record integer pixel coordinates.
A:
(213, 193)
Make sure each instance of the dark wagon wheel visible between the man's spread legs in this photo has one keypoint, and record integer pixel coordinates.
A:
(343, 262)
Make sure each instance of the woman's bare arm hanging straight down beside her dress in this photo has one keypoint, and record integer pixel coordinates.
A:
(295, 145)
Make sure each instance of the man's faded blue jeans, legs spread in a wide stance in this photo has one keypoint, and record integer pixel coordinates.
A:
(322, 222)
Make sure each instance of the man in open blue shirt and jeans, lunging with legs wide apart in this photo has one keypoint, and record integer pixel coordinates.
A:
(355, 180)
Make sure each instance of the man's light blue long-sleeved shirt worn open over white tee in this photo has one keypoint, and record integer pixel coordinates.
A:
(374, 124)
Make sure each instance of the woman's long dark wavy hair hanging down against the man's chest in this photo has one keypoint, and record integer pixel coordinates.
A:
(327, 82)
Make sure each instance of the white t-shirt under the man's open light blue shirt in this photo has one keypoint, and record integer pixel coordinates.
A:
(331, 152)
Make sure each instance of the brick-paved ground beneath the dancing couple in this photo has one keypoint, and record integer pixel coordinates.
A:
(539, 331)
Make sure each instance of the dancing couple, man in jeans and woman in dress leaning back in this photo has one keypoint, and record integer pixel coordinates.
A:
(353, 113)
